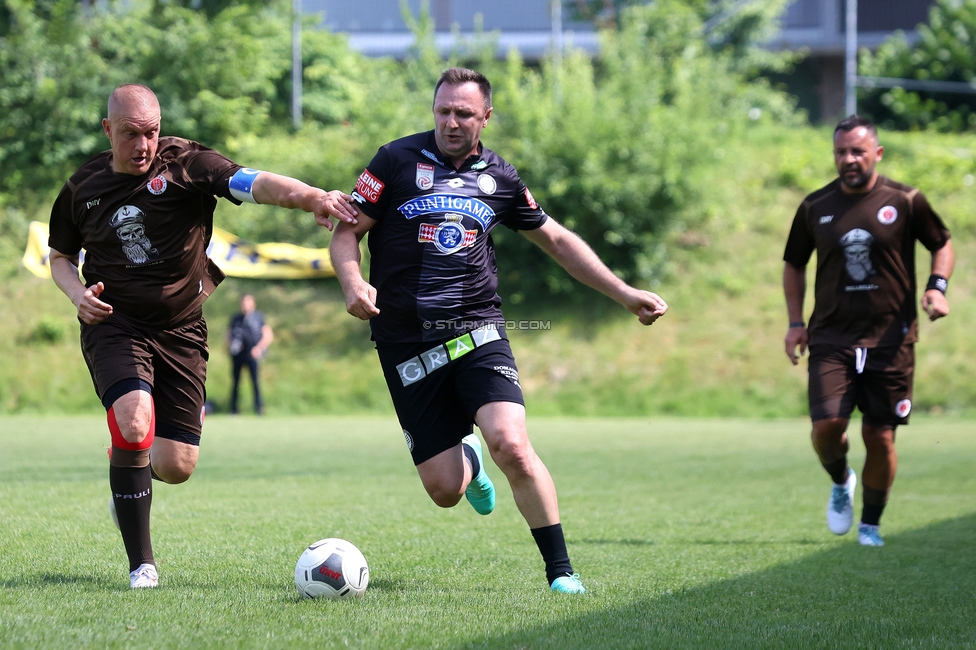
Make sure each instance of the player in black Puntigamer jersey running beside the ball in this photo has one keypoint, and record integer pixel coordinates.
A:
(429, 202)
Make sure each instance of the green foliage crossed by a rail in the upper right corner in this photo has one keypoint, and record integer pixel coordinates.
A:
(945, 51)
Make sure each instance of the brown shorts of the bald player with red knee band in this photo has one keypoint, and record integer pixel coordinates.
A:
(173, 362)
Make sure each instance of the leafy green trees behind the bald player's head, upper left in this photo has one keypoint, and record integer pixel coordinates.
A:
(217, 78)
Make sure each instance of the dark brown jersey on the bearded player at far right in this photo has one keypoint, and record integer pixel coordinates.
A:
(865, 243)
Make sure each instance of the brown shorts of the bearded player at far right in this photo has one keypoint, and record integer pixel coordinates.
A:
(878, 381)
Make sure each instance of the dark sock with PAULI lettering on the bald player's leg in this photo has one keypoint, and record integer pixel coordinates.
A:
(132, 493)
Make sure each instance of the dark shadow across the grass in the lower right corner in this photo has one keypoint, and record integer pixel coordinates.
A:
(915, 592)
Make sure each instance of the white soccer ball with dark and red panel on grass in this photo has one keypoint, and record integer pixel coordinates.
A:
(331, 568)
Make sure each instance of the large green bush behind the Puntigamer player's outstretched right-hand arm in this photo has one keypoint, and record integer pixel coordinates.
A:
(615, 147)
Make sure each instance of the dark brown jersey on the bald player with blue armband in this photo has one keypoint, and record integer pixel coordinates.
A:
(146, 237)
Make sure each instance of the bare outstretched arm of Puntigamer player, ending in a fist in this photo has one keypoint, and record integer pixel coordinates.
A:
(579, 260)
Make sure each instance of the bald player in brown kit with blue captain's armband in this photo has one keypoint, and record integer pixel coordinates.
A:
(143, 212)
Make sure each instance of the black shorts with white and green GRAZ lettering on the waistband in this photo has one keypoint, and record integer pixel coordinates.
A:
(438, 388)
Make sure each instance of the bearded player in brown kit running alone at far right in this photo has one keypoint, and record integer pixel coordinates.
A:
(864, 322)
